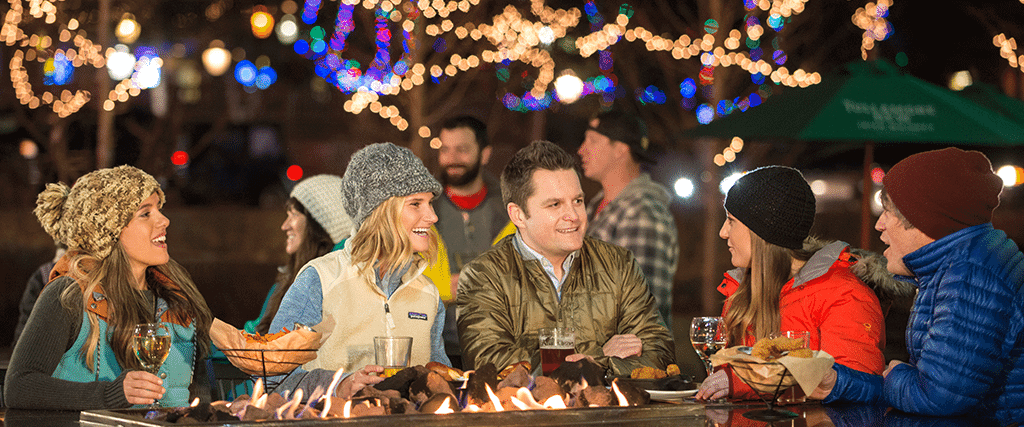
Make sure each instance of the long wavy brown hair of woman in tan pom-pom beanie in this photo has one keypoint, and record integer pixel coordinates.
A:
(129, 307)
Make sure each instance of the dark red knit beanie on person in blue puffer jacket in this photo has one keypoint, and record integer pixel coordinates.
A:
(945, 191)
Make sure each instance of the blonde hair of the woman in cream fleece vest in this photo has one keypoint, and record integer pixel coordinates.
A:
(382, 239)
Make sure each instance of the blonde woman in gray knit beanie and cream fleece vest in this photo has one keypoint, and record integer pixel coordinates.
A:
(374, 287)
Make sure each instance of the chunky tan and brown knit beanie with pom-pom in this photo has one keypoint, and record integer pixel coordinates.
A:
(91, 216)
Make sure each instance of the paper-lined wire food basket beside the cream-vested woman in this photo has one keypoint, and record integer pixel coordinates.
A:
(269, 355)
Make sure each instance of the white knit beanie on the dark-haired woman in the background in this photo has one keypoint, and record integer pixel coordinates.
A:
(321, 195)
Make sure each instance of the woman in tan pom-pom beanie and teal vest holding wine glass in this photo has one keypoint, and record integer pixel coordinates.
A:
(76, 352)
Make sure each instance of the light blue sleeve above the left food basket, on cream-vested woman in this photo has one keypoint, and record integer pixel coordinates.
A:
(303, 304)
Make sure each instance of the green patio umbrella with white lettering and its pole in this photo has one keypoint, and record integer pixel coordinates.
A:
(871, 103)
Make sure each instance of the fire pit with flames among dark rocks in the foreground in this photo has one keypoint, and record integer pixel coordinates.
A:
(423, 397)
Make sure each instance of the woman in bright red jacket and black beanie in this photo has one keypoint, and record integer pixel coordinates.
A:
(786, 281)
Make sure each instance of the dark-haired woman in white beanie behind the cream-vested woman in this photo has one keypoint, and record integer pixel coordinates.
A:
(316, 225)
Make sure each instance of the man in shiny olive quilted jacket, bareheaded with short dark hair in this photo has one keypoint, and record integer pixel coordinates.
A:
(548, 274)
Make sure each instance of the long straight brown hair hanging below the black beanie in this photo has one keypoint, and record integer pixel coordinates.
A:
(756, 304)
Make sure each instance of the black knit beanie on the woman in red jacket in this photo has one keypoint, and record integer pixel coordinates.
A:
(776, 203)
